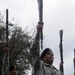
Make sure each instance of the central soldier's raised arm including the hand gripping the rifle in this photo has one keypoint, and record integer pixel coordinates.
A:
(35, 49)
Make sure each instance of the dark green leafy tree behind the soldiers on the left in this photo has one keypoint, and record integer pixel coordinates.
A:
(19, 43)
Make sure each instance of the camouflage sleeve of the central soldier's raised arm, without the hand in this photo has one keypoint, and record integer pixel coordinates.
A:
(34, 51)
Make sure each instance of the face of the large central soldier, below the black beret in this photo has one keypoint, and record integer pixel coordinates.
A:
(49, 57)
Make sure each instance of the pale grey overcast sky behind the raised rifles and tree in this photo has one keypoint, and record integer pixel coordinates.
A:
(57, 15)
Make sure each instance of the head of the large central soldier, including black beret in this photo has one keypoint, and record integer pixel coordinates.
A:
(47, 56)
